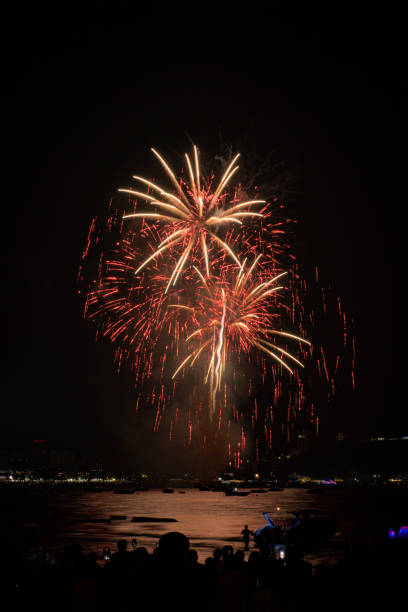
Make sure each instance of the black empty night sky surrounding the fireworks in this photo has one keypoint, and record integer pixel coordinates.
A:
(87, 94)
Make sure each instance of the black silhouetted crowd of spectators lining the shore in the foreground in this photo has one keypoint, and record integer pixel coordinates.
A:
(171, 578)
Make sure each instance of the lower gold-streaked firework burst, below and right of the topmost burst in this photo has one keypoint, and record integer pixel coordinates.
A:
(234, 317)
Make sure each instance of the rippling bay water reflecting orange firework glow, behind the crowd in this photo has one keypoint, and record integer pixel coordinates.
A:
(209, 519)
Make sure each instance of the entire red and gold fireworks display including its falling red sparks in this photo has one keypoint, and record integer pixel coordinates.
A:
(195, 282)
